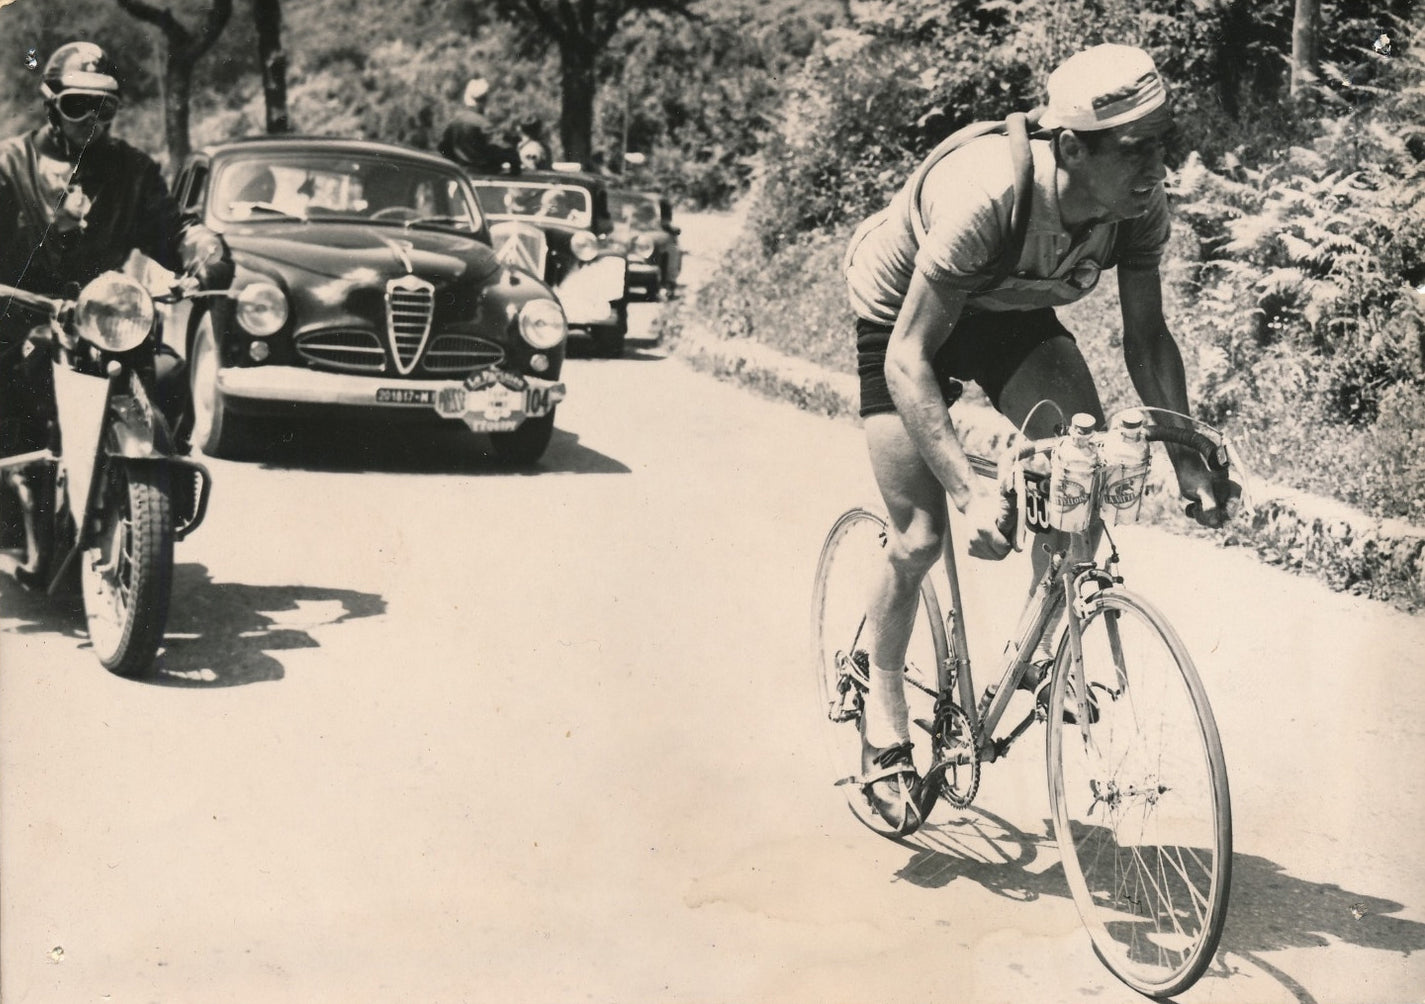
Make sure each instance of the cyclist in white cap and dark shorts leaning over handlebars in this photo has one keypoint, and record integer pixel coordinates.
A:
(936, 311)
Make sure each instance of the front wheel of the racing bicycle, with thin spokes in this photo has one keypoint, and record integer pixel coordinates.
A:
(1139, 791)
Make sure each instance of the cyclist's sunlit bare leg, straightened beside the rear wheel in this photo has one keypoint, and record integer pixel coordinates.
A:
(918, 519)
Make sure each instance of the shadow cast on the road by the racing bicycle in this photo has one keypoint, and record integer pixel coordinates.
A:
(1270, 911)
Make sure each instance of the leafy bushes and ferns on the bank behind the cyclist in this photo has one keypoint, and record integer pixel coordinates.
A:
(1296, 283)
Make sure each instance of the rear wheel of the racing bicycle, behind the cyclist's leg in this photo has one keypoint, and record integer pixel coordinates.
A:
(850, 559)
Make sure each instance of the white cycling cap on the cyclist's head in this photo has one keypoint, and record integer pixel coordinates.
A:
(1104, 88)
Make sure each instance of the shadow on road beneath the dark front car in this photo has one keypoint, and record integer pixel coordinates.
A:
(348, 449)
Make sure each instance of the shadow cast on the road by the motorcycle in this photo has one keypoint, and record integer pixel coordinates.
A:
(220, 633)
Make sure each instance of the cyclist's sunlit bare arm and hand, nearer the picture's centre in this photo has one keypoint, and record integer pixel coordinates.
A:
(927, 320)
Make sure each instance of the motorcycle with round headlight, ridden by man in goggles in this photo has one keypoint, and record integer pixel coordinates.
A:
(103, 501)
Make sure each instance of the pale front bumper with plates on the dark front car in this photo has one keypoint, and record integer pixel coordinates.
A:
(487, 402)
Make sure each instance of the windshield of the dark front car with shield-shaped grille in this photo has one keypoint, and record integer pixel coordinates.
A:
(323, 186)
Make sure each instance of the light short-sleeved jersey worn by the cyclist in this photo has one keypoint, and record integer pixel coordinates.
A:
(965, 204)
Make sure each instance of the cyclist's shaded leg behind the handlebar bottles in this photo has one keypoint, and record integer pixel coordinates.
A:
(1055, 371)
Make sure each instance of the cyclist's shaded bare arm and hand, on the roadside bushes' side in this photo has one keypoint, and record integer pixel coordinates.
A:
(1156, 368)
